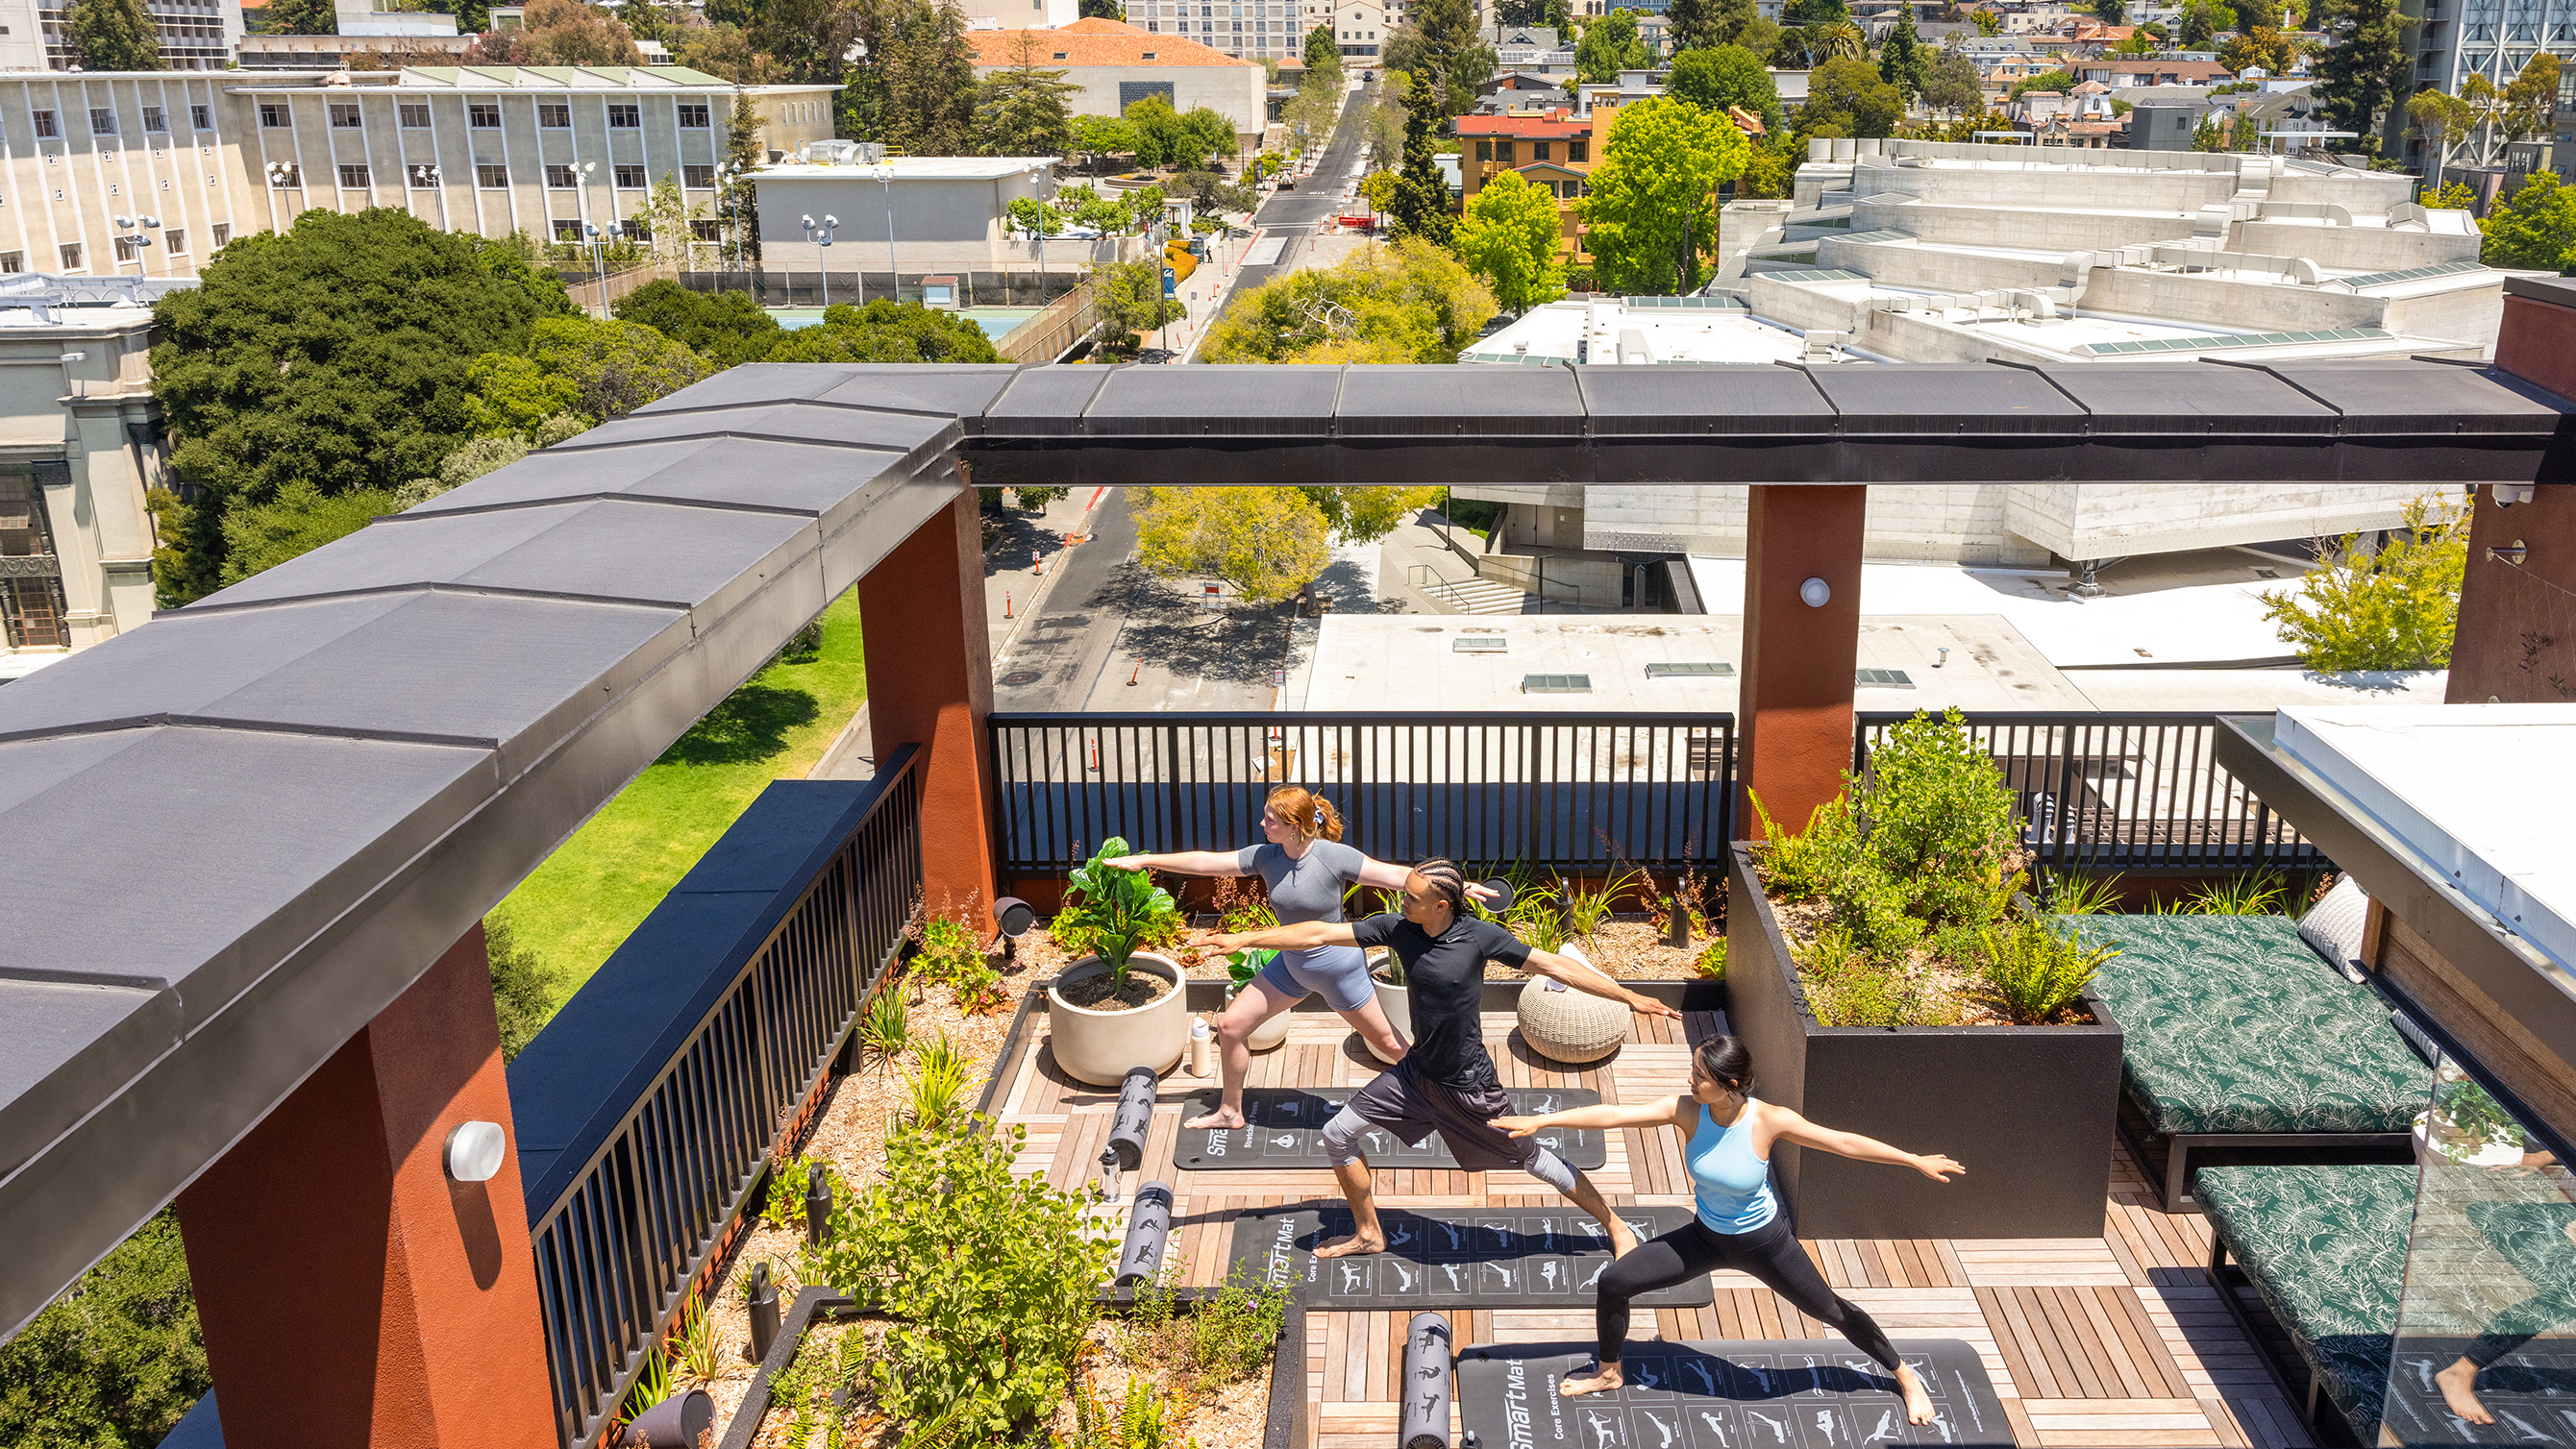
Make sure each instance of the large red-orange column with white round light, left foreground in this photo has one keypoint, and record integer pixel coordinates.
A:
(352, 1293)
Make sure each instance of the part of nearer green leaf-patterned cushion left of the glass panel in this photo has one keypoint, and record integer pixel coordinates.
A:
(2327, 1252)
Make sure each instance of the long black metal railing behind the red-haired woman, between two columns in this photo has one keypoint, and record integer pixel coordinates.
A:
(1542, 789)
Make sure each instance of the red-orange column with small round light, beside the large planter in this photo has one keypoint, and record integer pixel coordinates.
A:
(1797, 701)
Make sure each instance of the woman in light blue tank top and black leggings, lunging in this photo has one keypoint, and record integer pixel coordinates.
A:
(1740, 1221)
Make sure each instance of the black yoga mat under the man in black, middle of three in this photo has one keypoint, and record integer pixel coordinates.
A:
(1498, 1257)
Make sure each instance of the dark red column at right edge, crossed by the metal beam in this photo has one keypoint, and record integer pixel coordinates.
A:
(2518, 622)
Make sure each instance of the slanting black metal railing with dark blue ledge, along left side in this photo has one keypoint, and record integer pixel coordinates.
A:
(653, 1100)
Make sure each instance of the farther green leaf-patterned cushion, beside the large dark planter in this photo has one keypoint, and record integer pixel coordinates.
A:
(2237, 1028)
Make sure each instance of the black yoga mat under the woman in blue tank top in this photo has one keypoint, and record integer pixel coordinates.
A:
(1804, 1394)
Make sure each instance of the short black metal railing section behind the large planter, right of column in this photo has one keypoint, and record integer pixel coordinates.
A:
(2132, 791)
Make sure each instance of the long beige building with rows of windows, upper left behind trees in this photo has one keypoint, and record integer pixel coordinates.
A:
(207, 158)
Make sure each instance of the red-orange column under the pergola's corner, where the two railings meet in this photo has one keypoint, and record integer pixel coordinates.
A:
(931, 686)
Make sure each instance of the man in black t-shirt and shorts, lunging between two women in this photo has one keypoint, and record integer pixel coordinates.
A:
(1446, 1082)
